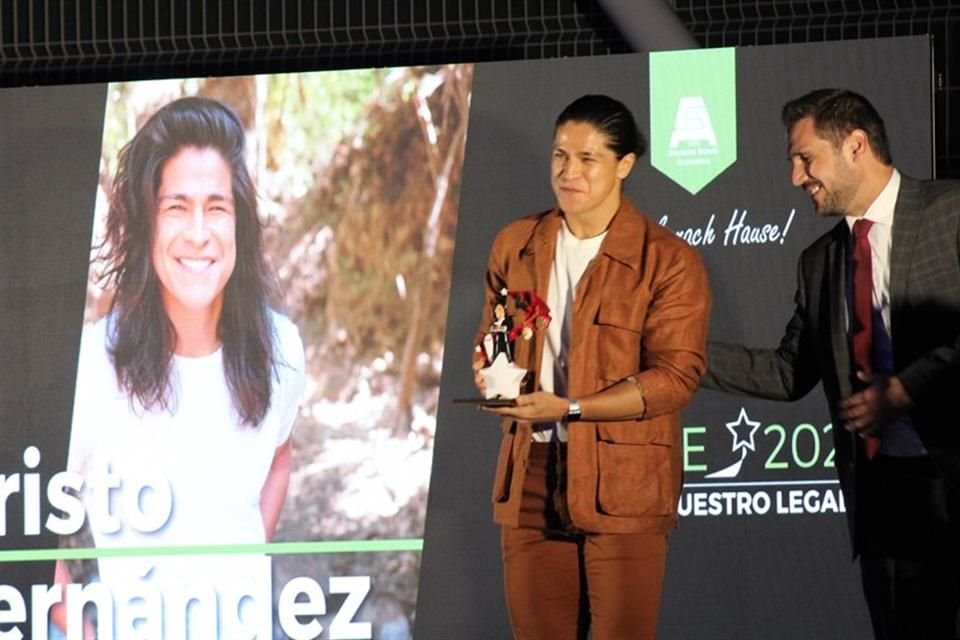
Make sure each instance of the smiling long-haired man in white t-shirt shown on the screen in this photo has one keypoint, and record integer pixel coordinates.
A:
(187, 390)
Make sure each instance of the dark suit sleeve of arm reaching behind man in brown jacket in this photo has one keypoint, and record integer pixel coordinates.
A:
(788, 372)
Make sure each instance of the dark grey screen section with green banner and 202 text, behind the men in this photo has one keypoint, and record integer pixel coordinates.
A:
(762, 548)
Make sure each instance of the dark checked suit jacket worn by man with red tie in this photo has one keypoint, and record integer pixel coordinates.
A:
(925, 330)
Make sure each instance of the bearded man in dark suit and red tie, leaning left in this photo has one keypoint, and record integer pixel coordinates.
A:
(877, 320)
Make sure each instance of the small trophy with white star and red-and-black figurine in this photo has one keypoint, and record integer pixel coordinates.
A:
(502, 377)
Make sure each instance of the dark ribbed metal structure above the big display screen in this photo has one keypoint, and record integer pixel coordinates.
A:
(75, 41)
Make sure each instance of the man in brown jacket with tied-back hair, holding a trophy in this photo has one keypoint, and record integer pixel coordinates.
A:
(589, 472)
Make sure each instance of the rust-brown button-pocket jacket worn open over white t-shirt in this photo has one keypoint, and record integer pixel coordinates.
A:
(641, 309)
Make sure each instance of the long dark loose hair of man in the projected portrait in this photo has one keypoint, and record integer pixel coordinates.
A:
(143, 338)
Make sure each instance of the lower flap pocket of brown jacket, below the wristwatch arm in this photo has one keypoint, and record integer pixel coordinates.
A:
(635, 479)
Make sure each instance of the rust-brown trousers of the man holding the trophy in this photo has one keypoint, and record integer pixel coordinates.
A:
(559, 585)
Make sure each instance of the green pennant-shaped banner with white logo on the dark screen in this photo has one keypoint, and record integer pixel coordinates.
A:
(693, 114)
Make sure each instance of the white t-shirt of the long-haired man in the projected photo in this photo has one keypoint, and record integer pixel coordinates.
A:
(190, 475)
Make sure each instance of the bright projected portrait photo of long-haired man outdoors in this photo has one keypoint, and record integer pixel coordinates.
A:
(260, 361)
